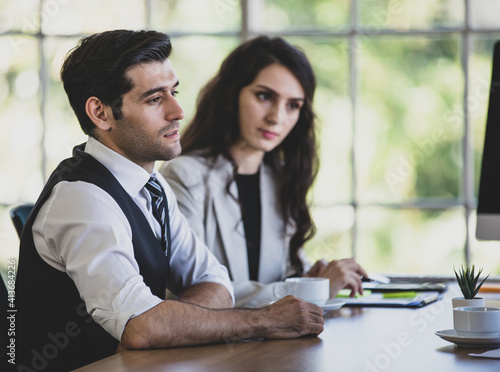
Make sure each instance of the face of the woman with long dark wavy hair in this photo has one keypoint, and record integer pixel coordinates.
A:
(269, 108)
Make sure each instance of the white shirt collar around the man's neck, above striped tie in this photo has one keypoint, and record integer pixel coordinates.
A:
(131, 176)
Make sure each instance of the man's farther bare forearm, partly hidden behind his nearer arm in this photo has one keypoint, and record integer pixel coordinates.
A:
(210, 295)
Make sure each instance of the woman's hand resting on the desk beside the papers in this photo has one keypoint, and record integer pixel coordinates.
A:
(343, 274)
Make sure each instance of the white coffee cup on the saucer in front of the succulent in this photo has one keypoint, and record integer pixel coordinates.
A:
(476, 321)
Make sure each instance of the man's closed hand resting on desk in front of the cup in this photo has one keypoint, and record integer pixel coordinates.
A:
(291, 317)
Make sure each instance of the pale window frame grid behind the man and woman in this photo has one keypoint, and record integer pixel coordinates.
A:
(466, 200)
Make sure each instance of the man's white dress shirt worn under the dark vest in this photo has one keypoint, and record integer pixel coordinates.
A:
(82, 231)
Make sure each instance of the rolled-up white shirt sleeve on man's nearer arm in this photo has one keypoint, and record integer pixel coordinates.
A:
(81, 230)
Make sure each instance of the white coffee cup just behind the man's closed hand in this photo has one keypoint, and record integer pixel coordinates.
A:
(315, 290)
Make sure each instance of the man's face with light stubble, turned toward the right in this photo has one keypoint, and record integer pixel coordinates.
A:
(149, 127)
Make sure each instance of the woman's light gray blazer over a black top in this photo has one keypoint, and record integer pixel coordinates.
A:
(215, 217)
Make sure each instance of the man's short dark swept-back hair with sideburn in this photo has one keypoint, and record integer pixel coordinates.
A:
(97, 67)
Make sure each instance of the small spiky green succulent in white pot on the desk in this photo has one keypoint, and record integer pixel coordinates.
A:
(467, 280)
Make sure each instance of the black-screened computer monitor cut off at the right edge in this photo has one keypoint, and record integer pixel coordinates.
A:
(488, 207)
